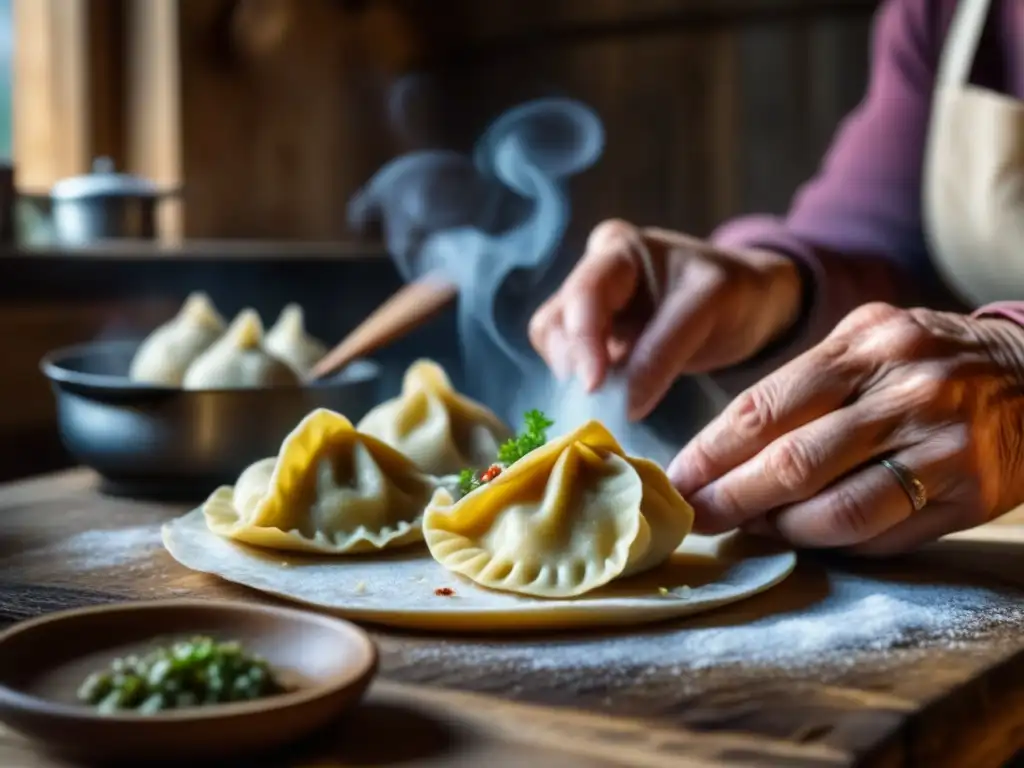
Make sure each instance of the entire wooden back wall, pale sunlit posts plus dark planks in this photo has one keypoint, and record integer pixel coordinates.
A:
(273, 113)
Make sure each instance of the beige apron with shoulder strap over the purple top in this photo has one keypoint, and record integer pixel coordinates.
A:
(973, 196)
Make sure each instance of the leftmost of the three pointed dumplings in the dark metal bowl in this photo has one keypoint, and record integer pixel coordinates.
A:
(167, 353)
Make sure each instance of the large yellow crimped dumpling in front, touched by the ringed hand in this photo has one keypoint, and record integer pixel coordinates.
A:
(565, 520)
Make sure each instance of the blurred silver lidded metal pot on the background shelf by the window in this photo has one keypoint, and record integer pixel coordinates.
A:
(105, 205)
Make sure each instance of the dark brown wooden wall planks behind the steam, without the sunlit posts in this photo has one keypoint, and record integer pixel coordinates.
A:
(709, 112)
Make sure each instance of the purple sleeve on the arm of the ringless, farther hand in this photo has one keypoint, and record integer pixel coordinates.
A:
(857, 228)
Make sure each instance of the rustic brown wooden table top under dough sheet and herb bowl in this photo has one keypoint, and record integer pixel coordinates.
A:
(63, 544)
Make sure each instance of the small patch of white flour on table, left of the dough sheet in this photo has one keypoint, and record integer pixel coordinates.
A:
(99, 549)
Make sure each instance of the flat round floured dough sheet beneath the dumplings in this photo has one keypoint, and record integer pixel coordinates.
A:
(399, 589)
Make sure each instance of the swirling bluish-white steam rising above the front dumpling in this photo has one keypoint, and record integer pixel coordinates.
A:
(493, 225)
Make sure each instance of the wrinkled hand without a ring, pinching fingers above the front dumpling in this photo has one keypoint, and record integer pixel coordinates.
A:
(716, 309)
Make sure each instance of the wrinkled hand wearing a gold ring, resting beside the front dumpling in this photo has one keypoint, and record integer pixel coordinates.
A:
(798, 454)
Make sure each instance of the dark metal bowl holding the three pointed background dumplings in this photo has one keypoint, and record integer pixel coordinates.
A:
(162, 442)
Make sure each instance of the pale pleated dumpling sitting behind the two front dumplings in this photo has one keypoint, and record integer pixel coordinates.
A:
(441, 431)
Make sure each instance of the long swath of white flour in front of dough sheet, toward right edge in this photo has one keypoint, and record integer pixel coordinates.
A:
(860, 615)
